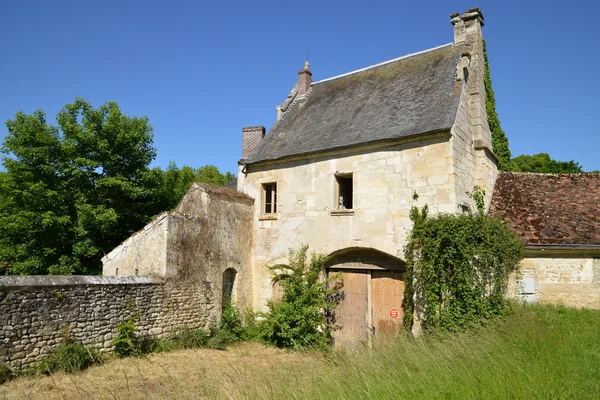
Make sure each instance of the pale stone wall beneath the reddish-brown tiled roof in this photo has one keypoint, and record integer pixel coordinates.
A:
(571, 280)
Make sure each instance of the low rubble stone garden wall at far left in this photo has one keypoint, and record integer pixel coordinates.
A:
(38, 312)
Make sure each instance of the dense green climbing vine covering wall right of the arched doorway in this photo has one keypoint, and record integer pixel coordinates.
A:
(458, 267)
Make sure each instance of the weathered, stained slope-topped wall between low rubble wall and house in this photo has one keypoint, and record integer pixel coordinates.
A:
(209, 232)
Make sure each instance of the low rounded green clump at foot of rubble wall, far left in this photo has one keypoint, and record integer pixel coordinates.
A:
(70, 357)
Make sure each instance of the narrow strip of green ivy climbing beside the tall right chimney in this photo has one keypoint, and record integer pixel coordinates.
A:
(499, 139)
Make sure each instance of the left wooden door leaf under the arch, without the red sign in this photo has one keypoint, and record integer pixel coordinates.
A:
(351, 324)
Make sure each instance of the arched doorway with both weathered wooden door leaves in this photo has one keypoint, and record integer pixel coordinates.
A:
(372, 288)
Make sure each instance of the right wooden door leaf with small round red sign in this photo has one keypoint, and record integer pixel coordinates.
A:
(387, 294)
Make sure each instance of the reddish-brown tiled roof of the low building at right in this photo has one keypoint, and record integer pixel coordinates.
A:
(550, 208)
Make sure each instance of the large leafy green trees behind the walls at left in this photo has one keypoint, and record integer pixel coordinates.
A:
(73, 192)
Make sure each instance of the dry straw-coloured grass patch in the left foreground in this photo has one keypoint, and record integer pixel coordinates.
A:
(188, 374)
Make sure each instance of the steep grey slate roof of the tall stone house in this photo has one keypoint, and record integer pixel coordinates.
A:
(400, 98)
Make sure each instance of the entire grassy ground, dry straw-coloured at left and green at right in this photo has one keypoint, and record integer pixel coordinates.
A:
(534, 353)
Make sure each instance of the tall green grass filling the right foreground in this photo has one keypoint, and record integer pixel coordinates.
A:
(536, 352)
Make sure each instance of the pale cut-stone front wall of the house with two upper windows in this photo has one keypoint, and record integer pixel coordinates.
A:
(384, 182)
